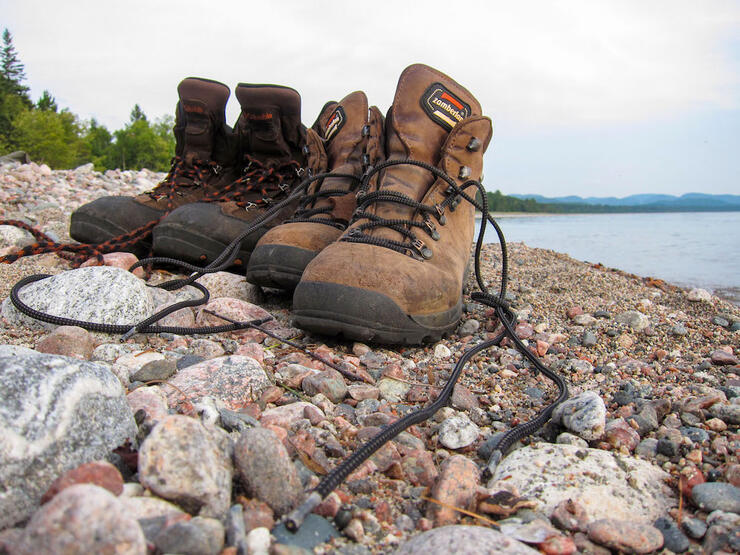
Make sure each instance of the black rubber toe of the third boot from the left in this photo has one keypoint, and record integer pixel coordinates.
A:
(278, 266)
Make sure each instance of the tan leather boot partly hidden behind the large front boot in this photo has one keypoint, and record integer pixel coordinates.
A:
(352, 136)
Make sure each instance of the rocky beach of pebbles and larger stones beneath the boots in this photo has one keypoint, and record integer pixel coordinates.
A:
(201, 444)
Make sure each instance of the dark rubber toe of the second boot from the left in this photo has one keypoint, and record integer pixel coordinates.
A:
(183, 243)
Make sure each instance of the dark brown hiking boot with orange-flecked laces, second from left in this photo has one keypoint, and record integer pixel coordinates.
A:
(275, 154)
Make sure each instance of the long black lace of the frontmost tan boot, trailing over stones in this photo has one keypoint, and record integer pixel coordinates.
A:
(416, 248)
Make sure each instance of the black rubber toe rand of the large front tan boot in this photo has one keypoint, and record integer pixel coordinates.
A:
(362, 315)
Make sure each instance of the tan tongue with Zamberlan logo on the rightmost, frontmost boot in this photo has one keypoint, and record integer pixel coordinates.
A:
(427, 106)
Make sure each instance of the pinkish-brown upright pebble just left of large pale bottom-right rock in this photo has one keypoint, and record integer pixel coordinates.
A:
(456, 486)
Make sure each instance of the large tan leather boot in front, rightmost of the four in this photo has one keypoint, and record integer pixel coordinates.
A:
(396, 275)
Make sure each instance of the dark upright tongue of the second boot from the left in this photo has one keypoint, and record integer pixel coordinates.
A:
(270, 121)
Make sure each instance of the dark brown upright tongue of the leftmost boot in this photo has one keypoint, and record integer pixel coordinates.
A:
(200, 111)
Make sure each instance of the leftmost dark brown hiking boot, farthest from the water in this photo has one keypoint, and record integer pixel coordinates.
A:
(203, 162)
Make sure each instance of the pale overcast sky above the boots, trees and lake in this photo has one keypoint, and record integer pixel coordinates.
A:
(588, 97)
